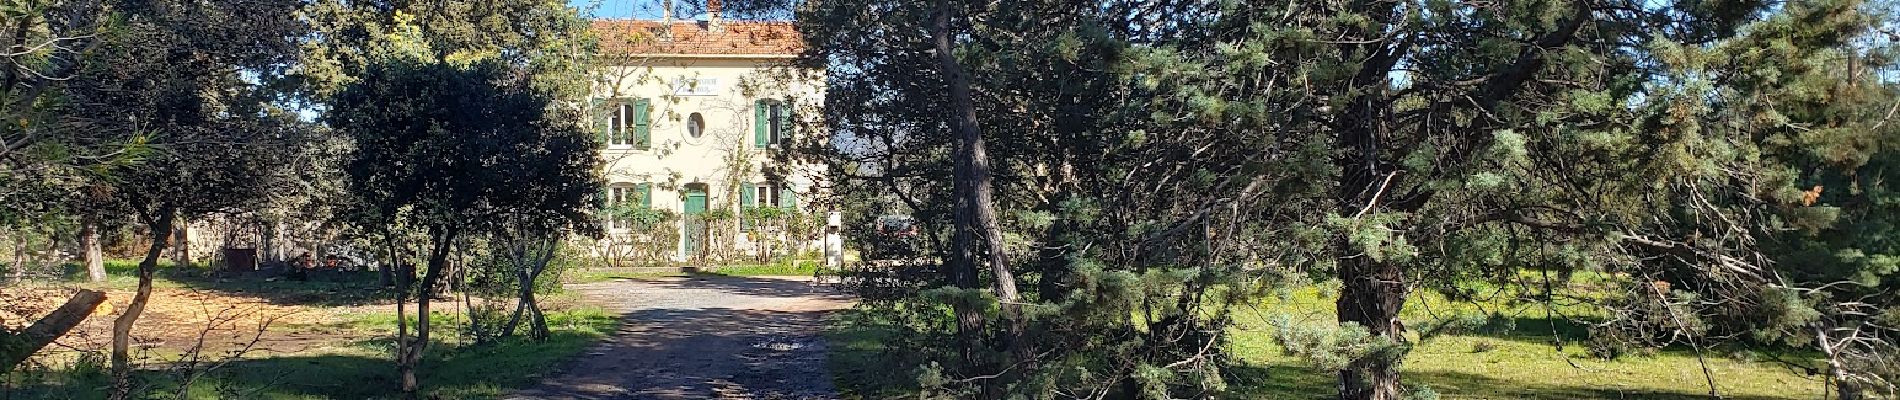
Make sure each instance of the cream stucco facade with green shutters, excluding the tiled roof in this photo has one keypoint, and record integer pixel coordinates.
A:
(700, 132)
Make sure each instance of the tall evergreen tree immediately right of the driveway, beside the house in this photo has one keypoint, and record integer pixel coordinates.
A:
(1114, 181)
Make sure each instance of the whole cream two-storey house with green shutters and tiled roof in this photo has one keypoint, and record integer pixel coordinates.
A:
(694, 115)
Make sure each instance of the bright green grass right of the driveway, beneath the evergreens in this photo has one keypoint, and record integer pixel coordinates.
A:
(1511, 363)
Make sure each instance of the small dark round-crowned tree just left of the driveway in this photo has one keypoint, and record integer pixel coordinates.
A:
(451, 151)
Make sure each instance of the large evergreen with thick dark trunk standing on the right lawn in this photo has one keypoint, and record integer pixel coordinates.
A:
(1462, 132)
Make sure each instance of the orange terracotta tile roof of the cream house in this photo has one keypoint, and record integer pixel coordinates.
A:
(628, 37)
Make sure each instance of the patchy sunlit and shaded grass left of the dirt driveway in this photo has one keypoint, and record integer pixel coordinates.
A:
(351, 369)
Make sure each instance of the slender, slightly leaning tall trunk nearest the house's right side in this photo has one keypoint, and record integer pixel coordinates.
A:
(976, 215)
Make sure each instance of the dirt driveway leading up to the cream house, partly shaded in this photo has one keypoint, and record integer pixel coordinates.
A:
(704, 338)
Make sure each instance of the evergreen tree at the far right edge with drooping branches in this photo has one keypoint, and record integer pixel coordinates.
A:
(1785, 238)
